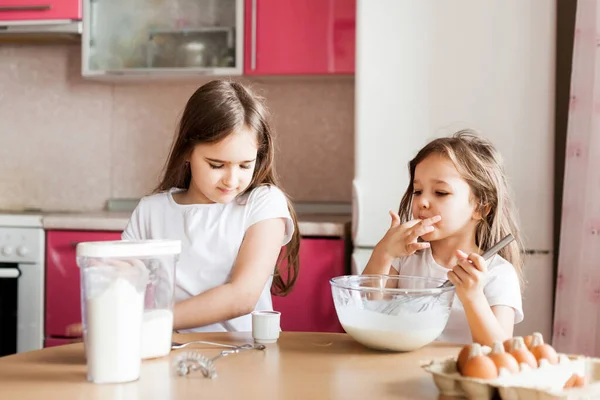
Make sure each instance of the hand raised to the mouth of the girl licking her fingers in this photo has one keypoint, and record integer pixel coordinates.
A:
(401, 239)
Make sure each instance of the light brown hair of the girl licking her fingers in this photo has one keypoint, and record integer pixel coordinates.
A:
(481, 166)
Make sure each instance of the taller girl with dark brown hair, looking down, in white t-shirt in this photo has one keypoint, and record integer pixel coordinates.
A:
(219, 196)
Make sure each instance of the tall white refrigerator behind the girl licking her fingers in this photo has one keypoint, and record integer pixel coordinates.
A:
(427, 68)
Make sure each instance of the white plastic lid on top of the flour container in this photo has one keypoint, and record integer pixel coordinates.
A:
(128, 248)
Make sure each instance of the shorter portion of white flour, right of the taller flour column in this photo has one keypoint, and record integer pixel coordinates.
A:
(157, 332)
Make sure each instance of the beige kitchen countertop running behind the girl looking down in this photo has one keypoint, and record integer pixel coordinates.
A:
(334, 225)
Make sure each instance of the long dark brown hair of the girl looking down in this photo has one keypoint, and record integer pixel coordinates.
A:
(212, 113)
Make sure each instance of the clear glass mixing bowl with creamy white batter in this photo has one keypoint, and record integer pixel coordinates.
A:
(392, 312)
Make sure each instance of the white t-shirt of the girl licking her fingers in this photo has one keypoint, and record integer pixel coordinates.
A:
(502, 287)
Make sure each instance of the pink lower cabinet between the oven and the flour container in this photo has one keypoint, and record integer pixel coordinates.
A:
(63, 304)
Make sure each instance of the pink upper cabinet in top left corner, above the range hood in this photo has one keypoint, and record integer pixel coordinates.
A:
(30, 10)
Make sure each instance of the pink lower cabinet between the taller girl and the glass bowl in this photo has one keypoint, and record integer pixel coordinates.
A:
(309, 307)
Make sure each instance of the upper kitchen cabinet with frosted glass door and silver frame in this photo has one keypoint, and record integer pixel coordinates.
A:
(162, 37)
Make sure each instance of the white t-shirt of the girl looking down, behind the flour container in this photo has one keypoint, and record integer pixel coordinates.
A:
(211, 236)
